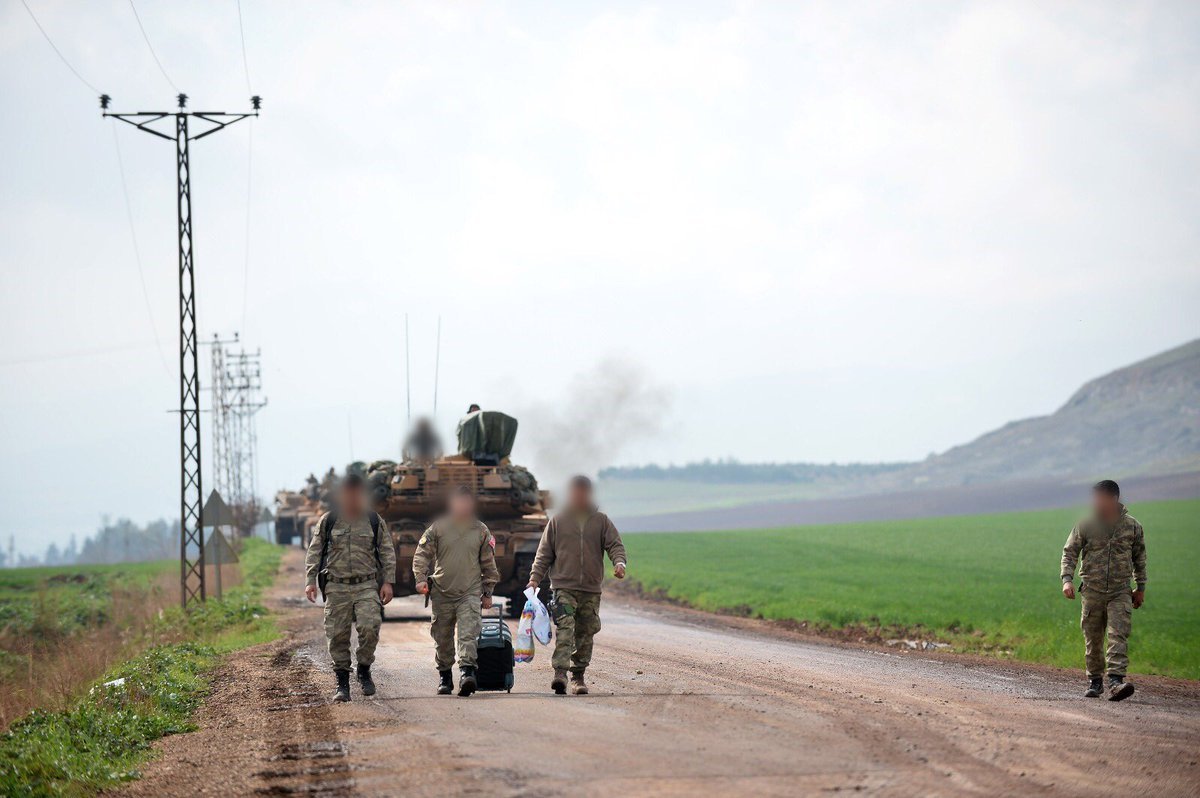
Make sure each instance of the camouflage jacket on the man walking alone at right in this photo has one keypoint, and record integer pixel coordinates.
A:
(1109, 555)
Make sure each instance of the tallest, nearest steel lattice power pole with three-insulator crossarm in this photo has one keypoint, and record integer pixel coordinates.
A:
(191, 544)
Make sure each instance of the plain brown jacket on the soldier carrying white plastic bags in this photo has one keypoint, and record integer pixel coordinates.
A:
(573, 553)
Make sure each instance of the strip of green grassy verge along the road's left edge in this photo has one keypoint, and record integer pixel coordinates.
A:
(105, 736)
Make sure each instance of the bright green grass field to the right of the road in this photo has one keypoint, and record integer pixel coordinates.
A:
(985, 584)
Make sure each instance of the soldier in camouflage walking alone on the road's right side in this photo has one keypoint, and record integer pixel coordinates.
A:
(1112, 549)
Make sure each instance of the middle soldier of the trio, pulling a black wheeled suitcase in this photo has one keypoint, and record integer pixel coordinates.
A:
(455, 567)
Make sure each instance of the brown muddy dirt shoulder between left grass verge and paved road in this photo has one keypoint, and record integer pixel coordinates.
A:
(266, 728)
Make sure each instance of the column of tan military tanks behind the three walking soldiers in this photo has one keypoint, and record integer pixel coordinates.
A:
(410, 495)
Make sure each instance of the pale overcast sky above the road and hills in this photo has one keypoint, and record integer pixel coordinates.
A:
(826, 232)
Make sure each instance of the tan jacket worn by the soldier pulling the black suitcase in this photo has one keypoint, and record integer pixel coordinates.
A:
(460, 559)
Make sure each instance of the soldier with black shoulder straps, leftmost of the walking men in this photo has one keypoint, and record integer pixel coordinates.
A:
(352, 562)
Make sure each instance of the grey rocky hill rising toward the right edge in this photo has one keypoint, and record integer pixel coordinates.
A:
(1139, 421)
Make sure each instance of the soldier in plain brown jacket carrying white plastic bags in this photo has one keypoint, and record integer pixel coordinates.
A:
(572, 550)
